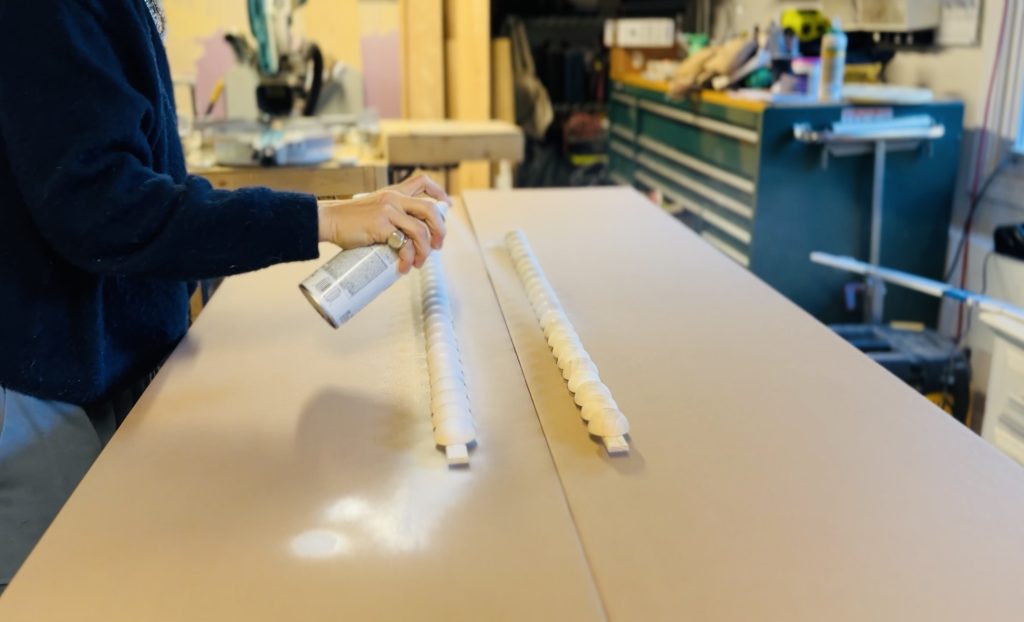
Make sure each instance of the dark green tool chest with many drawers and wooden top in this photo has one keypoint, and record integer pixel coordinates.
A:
(741, 179)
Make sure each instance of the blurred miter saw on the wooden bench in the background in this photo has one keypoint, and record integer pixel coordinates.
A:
(288, 125)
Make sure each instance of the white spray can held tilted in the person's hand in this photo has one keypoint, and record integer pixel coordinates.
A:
(354, 278)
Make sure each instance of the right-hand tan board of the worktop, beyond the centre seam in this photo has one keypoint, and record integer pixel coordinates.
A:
(776, 473)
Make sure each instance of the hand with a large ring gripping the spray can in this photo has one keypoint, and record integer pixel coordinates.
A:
(372, 219)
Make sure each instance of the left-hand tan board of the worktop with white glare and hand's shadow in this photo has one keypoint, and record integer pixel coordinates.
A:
(279, 470)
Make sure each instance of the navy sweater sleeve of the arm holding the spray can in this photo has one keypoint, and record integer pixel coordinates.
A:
(78, 137)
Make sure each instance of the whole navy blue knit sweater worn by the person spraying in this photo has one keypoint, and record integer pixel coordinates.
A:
(101, 227)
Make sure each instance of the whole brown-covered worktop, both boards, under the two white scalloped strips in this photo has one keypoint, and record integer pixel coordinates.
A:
(279, 470)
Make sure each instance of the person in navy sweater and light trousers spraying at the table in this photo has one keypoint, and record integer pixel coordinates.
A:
(103, 230)
